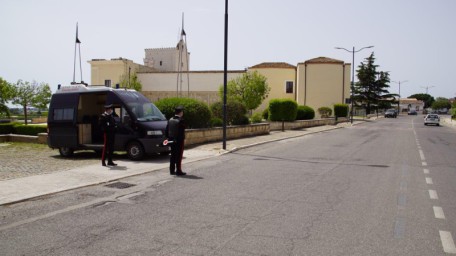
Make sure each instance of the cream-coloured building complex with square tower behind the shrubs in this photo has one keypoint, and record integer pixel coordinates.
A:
(319, 82)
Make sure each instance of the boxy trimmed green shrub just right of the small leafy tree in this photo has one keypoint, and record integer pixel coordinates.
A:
(283, 110)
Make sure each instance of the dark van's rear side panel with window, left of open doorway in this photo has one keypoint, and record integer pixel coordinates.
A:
(63, 131)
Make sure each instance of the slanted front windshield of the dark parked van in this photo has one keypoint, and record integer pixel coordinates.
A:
(141, 107)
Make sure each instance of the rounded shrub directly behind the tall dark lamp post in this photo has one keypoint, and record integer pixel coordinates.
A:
(235, 112)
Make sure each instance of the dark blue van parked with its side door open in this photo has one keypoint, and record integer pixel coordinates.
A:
(73, 121)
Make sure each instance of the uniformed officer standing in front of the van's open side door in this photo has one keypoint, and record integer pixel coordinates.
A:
(108, 126)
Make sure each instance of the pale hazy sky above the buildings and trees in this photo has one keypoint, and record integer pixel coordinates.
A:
(414, 40)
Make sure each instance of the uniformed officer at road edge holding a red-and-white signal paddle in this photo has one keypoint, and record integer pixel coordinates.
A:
(175, 132)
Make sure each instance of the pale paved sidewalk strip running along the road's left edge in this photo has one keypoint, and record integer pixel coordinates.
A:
(21, 189)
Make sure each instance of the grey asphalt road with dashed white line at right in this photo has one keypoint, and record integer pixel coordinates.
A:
(380, 188)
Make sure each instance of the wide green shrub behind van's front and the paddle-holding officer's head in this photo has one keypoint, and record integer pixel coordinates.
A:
(196, 113)
